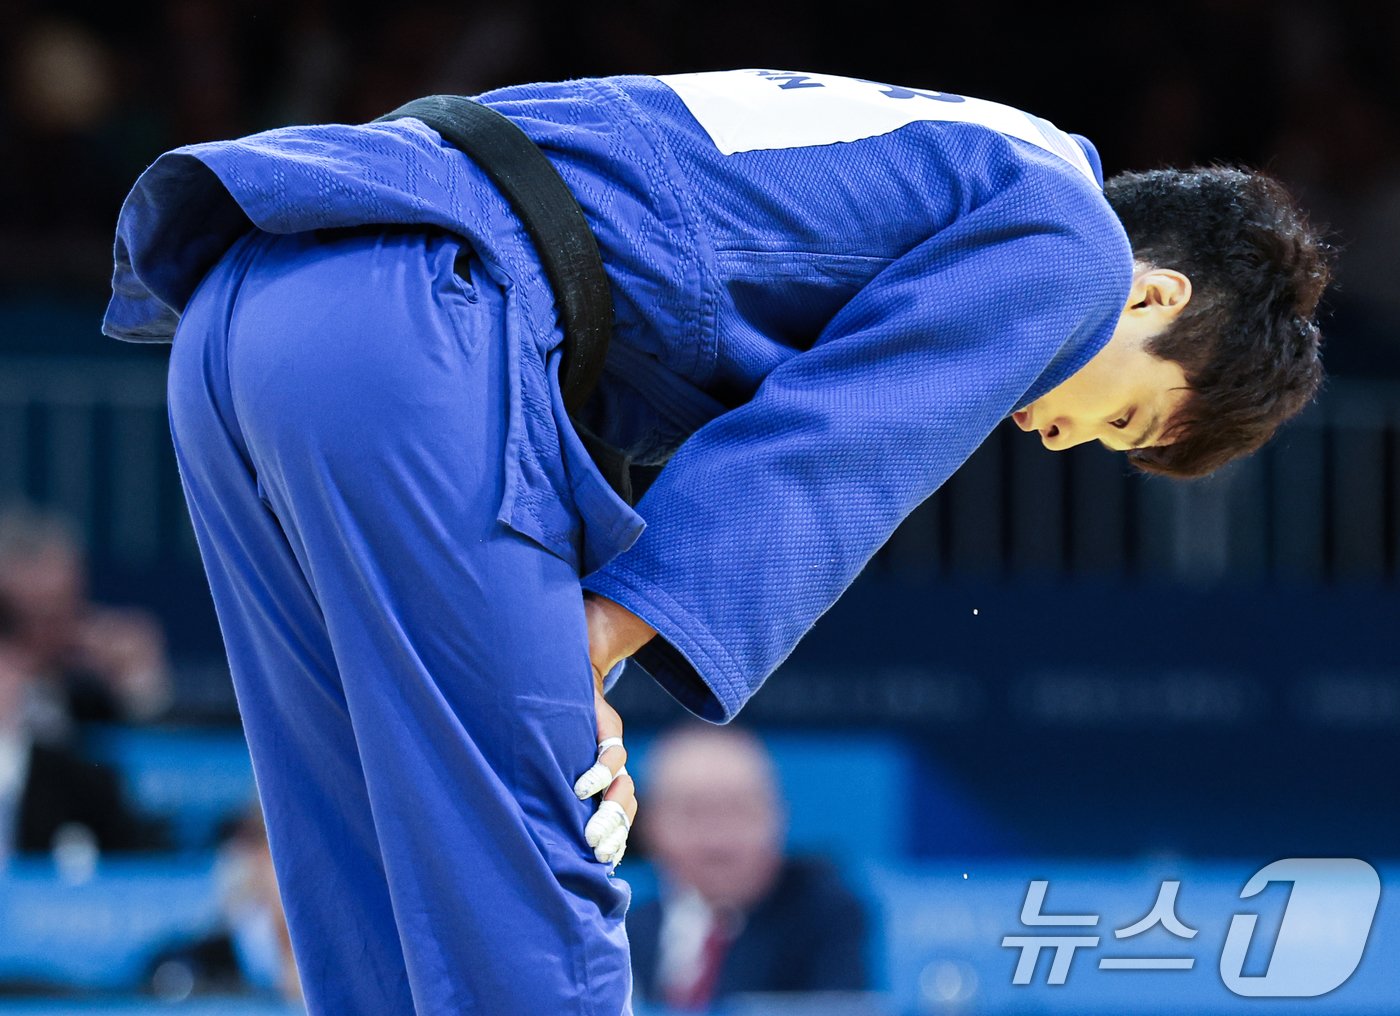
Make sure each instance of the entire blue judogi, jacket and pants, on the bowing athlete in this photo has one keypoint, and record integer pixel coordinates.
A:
(828, 293)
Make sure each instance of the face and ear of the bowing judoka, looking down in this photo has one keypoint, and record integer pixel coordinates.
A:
(1123, 397)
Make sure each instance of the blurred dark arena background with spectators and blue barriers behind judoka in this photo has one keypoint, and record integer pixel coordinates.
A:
(1055, 672)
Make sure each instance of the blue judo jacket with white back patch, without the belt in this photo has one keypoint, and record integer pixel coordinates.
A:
(828, 293)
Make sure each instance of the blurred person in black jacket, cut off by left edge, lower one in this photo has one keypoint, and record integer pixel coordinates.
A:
(50, 797)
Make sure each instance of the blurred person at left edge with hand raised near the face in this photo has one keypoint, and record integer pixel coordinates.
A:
(94, 664)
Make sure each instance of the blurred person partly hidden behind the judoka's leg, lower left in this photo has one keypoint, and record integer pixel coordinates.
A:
(250, 952)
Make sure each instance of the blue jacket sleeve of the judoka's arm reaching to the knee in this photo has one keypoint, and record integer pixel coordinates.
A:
(766, 514)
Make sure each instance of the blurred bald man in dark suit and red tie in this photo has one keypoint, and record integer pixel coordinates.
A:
(734, 915)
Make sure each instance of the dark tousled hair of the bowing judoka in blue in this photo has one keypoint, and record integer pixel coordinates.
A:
(1248, 341)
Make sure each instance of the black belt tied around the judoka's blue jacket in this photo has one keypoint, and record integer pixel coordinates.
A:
(566, 247)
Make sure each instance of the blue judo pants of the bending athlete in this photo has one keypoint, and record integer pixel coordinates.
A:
(412, 675)
